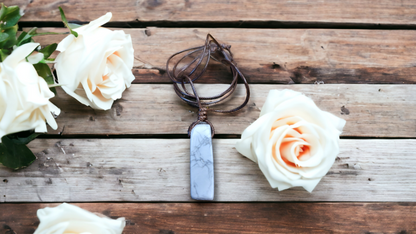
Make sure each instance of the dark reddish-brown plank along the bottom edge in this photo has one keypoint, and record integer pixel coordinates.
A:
(235, 217)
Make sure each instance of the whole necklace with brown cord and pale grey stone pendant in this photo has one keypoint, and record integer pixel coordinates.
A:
(190, 66)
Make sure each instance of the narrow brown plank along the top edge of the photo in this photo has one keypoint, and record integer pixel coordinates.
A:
(336, 11)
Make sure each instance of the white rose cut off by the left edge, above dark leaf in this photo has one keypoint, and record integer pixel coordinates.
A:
(24, 95)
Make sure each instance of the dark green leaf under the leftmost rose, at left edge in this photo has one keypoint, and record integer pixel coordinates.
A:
(14, 153)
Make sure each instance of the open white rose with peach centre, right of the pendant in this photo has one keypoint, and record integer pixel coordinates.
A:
(294, 142)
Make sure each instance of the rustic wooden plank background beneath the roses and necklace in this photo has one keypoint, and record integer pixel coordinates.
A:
(354, 58)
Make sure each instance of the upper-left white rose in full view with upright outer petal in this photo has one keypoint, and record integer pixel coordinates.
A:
(95, 67)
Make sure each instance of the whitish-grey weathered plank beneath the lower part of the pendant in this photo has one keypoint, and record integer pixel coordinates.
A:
(87, 170)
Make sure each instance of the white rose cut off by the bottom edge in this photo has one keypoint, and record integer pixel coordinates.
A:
(67, 218)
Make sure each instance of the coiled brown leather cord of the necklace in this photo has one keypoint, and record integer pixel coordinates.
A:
(188, 74)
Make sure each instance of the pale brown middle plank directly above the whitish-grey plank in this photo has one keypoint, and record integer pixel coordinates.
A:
(370, 110)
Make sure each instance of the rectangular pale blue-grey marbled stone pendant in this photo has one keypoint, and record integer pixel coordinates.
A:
(202, 163)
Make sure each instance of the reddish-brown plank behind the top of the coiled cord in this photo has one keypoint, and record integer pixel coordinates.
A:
(283, 56)
